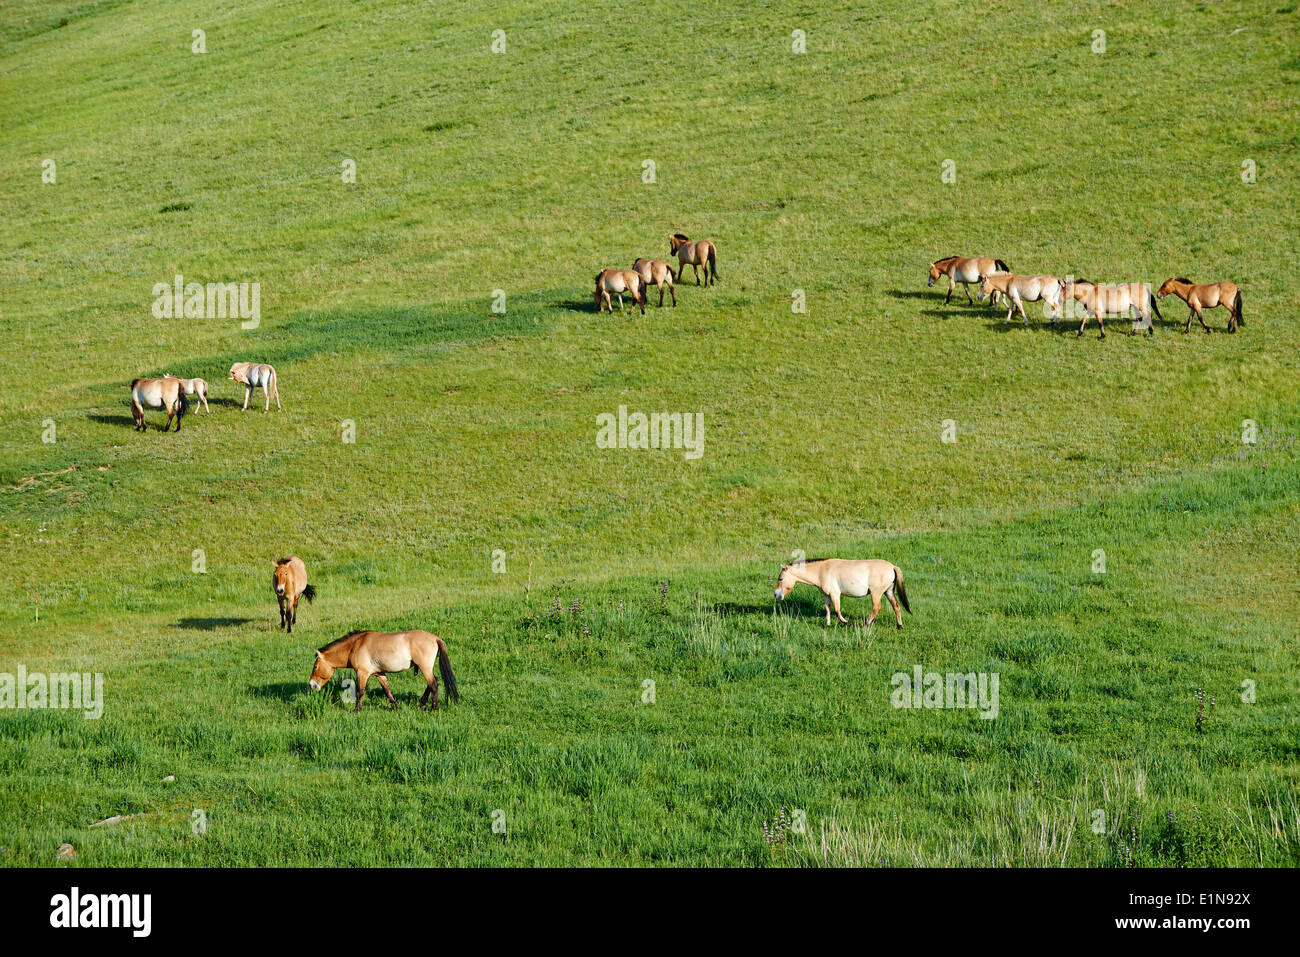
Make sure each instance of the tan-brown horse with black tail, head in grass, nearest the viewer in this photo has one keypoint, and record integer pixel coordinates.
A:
(387, 653)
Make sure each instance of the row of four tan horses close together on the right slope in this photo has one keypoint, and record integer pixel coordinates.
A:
(998, 282)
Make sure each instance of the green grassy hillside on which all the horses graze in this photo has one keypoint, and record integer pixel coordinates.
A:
(476, 434)
